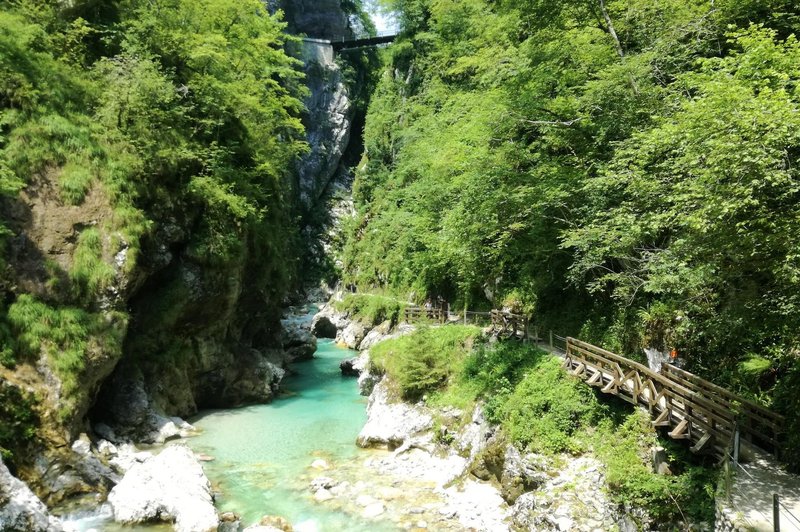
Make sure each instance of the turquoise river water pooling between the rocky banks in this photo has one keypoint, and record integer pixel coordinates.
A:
(262, 454)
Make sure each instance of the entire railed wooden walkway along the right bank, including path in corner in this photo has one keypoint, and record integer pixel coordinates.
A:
(713, 420)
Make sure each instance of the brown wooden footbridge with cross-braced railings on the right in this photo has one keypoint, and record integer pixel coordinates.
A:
(693, 408)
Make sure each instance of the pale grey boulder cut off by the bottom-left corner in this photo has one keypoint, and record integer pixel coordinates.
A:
(20, 509)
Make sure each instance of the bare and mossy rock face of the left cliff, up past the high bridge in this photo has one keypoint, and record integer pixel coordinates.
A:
(121, 335)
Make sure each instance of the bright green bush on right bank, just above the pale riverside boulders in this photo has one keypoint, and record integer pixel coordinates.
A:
(425, 360)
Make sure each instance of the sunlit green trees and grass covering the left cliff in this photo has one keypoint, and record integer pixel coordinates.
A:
(172, 113)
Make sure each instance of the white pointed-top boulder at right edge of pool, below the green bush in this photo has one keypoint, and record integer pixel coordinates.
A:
(391, 424)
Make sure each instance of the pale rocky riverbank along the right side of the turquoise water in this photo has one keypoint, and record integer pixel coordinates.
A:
(419, 474)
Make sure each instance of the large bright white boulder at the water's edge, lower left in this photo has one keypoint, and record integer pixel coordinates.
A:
(168, 487)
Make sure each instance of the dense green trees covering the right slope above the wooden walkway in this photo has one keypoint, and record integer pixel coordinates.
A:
(624, 170)
